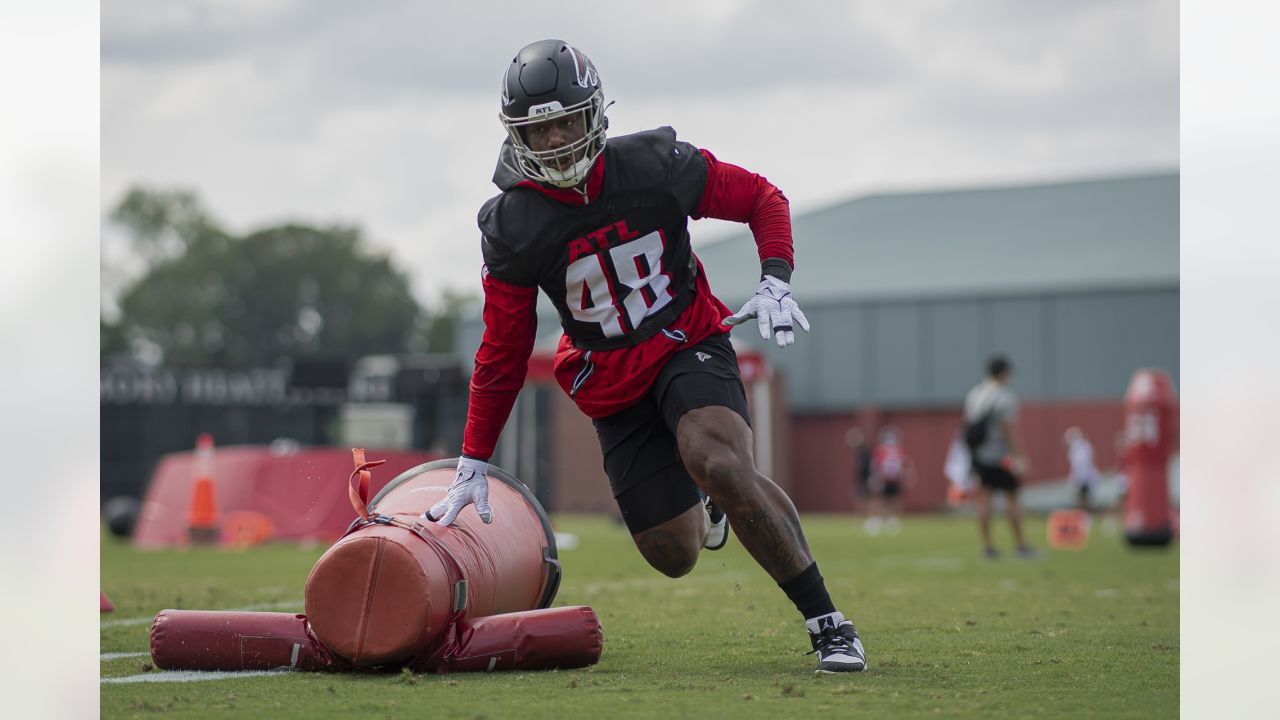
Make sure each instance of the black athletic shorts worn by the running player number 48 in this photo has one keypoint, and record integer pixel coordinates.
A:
(642, 458)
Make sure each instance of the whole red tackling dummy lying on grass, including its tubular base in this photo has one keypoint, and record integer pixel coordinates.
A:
(401, 593)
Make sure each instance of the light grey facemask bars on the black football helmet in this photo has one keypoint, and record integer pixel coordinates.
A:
(546, 166)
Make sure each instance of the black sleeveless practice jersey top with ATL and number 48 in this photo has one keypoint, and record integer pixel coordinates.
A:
(618, 268)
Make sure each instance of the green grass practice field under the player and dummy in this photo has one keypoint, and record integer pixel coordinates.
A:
(948, 635)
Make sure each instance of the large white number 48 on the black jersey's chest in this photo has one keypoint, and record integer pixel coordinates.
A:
(587, 284)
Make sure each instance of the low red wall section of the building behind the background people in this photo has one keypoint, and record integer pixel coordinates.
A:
(822, 467)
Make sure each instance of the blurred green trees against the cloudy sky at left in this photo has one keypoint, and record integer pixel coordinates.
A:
(209, 298)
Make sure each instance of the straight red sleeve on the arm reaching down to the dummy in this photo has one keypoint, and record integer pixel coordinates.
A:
(502, 363)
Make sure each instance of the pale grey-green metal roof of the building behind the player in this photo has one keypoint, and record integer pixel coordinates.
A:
(1069, 236)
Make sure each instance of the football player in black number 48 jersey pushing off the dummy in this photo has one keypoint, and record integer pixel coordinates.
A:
(602, 229)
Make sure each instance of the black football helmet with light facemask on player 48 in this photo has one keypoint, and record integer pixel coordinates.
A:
(547, 80)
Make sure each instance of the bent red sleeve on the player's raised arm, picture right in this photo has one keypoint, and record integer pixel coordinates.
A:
(739, 195)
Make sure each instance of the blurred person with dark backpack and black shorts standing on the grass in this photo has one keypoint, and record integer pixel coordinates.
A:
(991, 434)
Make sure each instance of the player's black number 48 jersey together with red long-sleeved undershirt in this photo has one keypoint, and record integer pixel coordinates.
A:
(619, 267)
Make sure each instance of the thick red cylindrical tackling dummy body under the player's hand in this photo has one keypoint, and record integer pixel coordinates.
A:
(385, 594)
